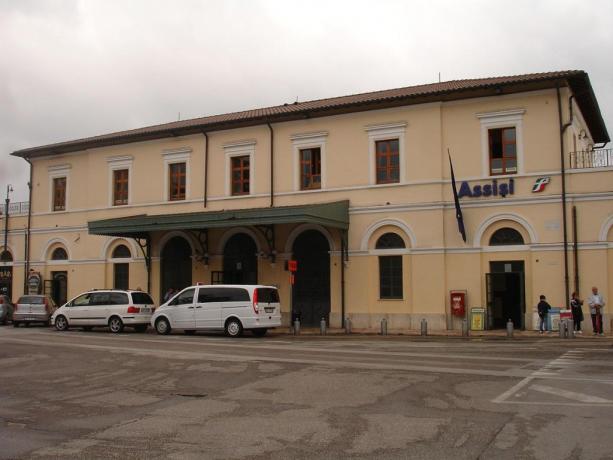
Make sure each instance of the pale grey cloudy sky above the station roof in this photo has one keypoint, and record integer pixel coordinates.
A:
(72, 69)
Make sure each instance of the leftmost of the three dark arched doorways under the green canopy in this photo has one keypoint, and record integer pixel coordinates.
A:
(176, 265)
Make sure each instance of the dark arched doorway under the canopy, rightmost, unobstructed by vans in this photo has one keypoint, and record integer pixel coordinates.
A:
(311, 290)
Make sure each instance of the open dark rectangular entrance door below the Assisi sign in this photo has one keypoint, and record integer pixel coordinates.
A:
(505, 294)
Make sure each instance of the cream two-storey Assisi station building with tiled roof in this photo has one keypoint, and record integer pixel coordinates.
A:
(356, 189)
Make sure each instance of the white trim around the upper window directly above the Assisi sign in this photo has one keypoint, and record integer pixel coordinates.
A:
(502, 119)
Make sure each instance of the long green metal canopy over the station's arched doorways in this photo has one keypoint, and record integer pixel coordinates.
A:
(334, 215)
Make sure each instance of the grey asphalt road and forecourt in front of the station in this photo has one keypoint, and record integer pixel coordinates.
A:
(77, 395)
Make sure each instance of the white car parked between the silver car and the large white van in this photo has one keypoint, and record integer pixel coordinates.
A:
(111, 307)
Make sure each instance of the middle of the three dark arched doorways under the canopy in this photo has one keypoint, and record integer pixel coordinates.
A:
(240, 261)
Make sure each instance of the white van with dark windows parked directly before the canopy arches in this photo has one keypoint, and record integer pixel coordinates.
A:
(231, 308)
